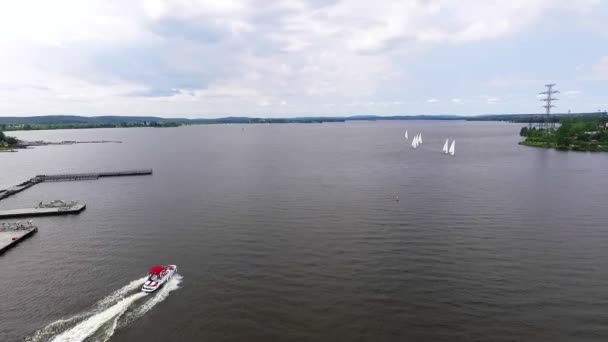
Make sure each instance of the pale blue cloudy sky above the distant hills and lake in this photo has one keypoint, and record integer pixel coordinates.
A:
(206, 59)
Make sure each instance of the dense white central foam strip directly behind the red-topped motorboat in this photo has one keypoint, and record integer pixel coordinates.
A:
(87, 327)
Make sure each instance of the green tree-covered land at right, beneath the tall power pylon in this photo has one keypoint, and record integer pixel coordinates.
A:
(583, 133)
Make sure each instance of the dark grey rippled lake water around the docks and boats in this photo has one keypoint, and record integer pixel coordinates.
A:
(292, 232)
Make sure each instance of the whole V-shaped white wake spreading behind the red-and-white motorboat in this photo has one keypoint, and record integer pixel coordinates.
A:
(118, 309)
